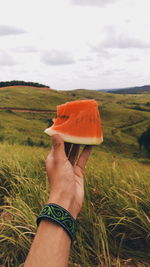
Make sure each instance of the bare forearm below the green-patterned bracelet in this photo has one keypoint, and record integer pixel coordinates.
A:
(50, 247)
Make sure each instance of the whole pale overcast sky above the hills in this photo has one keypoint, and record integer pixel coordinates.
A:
(69, 44)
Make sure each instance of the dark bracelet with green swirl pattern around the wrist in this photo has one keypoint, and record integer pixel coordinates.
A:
(55, 213)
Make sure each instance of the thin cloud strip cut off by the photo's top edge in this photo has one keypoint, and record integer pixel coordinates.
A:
(97, 3)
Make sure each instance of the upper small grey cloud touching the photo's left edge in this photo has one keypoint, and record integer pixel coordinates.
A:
(10, 30)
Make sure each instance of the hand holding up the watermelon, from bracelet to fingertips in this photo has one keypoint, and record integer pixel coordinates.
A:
(66, 174)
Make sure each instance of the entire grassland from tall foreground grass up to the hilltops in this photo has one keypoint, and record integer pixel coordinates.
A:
(114, 224)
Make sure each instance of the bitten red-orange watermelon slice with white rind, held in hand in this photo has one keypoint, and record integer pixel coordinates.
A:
(78, 122)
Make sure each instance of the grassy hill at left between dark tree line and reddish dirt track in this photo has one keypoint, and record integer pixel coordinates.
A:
(31, 97)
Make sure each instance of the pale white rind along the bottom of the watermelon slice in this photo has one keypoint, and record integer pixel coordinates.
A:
(75, 139)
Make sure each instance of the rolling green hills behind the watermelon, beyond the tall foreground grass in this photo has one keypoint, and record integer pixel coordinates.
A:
(124, 117)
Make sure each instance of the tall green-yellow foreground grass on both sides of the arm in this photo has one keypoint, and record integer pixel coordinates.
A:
(113, 226)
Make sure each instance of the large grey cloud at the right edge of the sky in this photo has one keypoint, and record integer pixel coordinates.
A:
(122, 40)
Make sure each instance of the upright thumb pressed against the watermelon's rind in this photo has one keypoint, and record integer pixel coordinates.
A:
(58, 147)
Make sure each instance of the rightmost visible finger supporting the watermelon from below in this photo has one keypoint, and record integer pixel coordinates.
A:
(84, 157)
